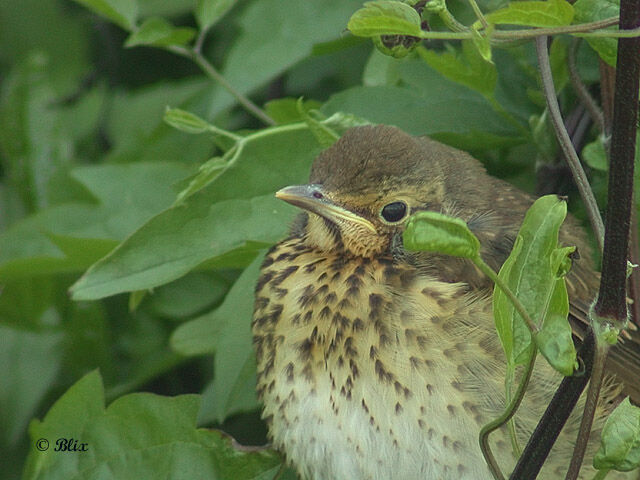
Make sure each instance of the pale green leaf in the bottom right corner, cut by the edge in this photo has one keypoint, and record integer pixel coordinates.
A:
(620, 443)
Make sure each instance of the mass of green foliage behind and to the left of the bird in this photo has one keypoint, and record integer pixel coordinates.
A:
(156, 219)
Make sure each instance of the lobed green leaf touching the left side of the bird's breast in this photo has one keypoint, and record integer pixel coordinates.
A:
(226, 330)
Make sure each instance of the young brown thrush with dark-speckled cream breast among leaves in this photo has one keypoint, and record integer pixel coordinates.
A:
(374, 362)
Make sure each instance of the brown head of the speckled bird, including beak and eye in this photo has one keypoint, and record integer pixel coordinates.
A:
(364, 187)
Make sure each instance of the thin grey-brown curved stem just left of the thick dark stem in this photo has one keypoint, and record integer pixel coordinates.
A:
(565, 142)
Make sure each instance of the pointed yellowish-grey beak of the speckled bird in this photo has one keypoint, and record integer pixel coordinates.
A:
(312, 198)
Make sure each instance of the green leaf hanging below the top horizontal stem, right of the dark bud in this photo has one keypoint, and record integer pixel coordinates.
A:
(469, 69)
